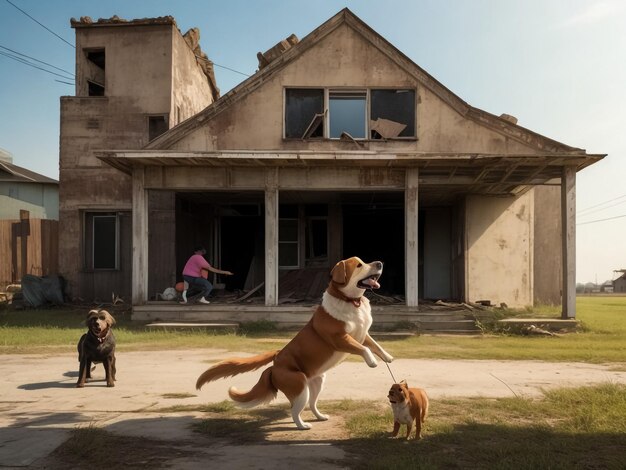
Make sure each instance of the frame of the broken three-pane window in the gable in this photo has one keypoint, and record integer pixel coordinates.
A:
(328, 91)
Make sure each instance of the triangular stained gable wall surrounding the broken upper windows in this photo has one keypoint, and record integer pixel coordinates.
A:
(342, 59)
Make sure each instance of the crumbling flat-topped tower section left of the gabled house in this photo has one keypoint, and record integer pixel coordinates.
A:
(134, 80)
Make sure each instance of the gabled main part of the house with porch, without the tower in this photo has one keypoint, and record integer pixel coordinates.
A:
(339, 145)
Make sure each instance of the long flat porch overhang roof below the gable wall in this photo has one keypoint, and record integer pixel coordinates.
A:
(477, 173)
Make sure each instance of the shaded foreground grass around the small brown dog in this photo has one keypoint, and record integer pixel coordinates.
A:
(566, 429)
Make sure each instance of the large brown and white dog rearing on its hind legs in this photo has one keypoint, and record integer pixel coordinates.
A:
(338, 327)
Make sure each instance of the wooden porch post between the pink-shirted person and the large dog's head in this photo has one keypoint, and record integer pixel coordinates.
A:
(271, 237)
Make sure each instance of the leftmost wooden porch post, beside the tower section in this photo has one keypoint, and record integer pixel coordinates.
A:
(140, 239)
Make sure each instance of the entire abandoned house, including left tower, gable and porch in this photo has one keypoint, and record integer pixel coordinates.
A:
(339, 145)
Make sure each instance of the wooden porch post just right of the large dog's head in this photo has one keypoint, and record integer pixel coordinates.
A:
(411, 236)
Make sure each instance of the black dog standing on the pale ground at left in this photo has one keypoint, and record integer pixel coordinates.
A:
(97, 345)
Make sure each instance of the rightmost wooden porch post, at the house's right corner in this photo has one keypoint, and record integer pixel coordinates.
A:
(568, 241)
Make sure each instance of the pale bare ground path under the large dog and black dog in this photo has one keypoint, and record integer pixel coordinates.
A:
(148, 426)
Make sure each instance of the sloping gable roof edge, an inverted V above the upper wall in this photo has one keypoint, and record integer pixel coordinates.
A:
(346, 17)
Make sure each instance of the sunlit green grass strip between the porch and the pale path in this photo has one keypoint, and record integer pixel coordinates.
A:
(602, 340)
